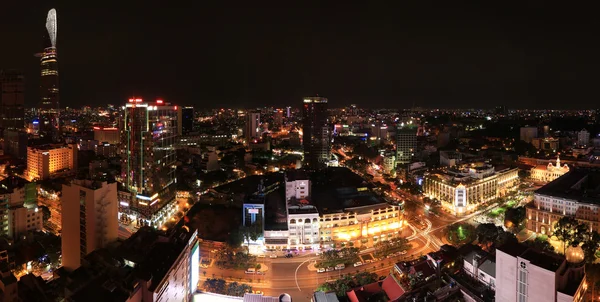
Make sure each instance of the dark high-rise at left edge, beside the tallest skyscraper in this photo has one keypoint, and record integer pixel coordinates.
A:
(12, 100)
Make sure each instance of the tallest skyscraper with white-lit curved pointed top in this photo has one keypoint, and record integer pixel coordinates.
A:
(49, 109)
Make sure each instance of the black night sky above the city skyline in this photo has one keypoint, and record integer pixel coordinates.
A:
(216, 53)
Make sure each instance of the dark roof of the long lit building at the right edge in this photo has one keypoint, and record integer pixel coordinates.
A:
(581, 185)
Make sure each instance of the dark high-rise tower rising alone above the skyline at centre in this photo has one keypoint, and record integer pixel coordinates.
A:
(315, 132)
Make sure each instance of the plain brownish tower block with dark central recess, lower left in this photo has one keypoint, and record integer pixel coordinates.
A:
(89, 219)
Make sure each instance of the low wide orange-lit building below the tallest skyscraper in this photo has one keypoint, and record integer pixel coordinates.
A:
(48, 160)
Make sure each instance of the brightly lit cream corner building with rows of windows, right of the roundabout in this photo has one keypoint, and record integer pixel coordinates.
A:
(461, 190)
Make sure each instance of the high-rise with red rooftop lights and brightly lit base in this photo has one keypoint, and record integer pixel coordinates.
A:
(148, 135)
